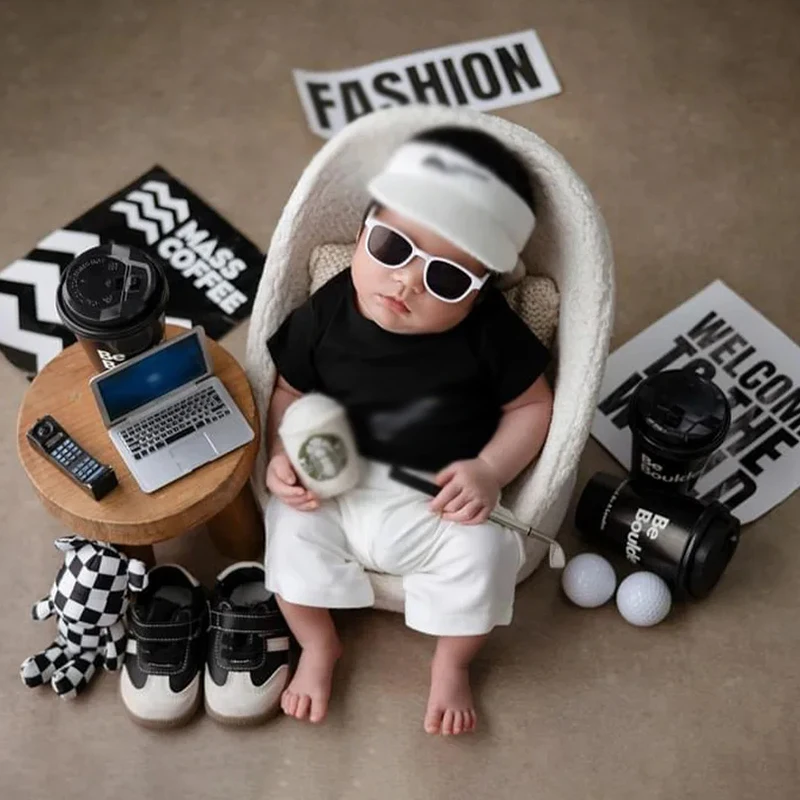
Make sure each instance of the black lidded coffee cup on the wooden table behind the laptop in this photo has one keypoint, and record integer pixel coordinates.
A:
(113, 298)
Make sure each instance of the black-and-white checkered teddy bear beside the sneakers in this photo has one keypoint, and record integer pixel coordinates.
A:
(89, 596)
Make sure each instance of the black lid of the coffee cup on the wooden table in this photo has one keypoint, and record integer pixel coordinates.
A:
(109, 286)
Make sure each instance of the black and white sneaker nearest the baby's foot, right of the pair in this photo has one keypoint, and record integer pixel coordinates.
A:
(248, 648)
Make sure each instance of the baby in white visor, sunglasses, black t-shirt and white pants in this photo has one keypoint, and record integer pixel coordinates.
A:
(437, 374)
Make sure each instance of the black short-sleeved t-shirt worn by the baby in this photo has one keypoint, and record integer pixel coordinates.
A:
(416, 400)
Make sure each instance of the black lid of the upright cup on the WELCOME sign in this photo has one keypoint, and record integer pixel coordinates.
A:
(679, 410)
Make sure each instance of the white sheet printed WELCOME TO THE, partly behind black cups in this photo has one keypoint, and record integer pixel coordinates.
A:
(723, 338)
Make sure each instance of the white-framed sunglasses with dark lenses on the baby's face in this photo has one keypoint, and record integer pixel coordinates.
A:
(445, 280)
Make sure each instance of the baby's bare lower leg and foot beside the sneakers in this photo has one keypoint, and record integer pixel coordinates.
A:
(307, 695)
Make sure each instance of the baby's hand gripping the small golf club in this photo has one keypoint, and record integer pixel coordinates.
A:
(470, 492)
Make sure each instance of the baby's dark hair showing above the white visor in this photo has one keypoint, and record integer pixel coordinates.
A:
(486, 151)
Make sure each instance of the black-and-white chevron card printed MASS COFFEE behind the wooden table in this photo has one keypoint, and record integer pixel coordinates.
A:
(212, 268)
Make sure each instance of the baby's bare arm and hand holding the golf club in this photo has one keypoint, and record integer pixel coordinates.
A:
(471, 489)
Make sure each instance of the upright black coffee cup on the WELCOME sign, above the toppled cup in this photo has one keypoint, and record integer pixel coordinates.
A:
(677, 420)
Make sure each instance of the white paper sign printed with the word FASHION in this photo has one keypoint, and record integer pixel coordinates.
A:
(486, 74)
